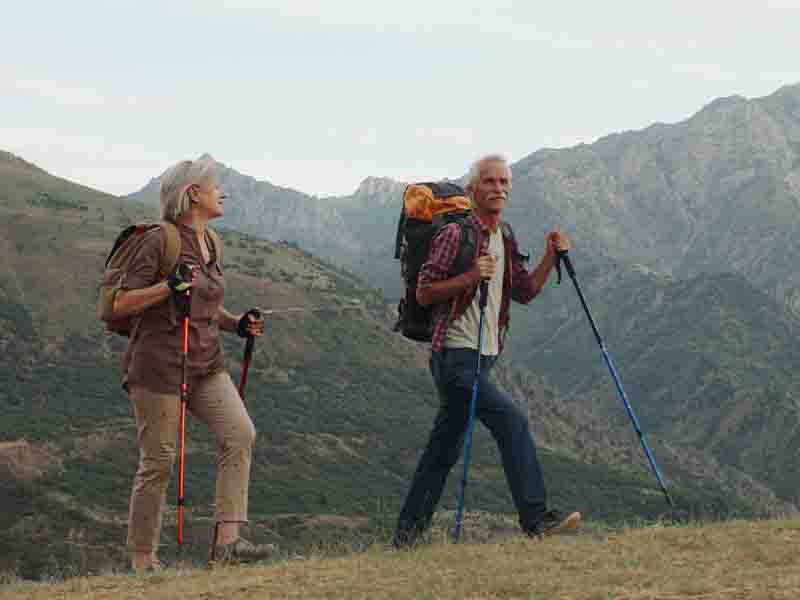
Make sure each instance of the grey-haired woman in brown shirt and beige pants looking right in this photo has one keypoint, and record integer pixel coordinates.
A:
(152, 366)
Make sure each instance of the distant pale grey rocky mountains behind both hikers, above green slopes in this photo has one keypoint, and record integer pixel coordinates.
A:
(717, 192)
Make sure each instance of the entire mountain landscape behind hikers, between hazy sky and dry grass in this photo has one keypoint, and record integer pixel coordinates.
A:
(684, 241)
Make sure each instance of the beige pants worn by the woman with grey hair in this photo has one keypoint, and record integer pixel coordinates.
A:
(216, 402)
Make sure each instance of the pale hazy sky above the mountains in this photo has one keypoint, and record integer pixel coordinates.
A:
(319, 95)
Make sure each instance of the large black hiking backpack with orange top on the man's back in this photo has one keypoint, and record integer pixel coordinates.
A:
(427, 207)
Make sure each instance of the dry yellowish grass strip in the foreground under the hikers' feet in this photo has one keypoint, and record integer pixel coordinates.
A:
(719, 561)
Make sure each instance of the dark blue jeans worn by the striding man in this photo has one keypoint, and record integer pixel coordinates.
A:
(453, 372)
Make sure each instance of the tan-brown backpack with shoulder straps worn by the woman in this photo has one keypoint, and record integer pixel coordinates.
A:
(125, 248)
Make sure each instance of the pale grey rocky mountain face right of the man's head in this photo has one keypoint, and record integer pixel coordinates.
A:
(717, 192)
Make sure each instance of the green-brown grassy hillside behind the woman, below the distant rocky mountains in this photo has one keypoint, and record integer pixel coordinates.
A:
(342, 404)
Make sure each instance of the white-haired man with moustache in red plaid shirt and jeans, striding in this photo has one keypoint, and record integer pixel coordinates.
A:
(454, 353)
